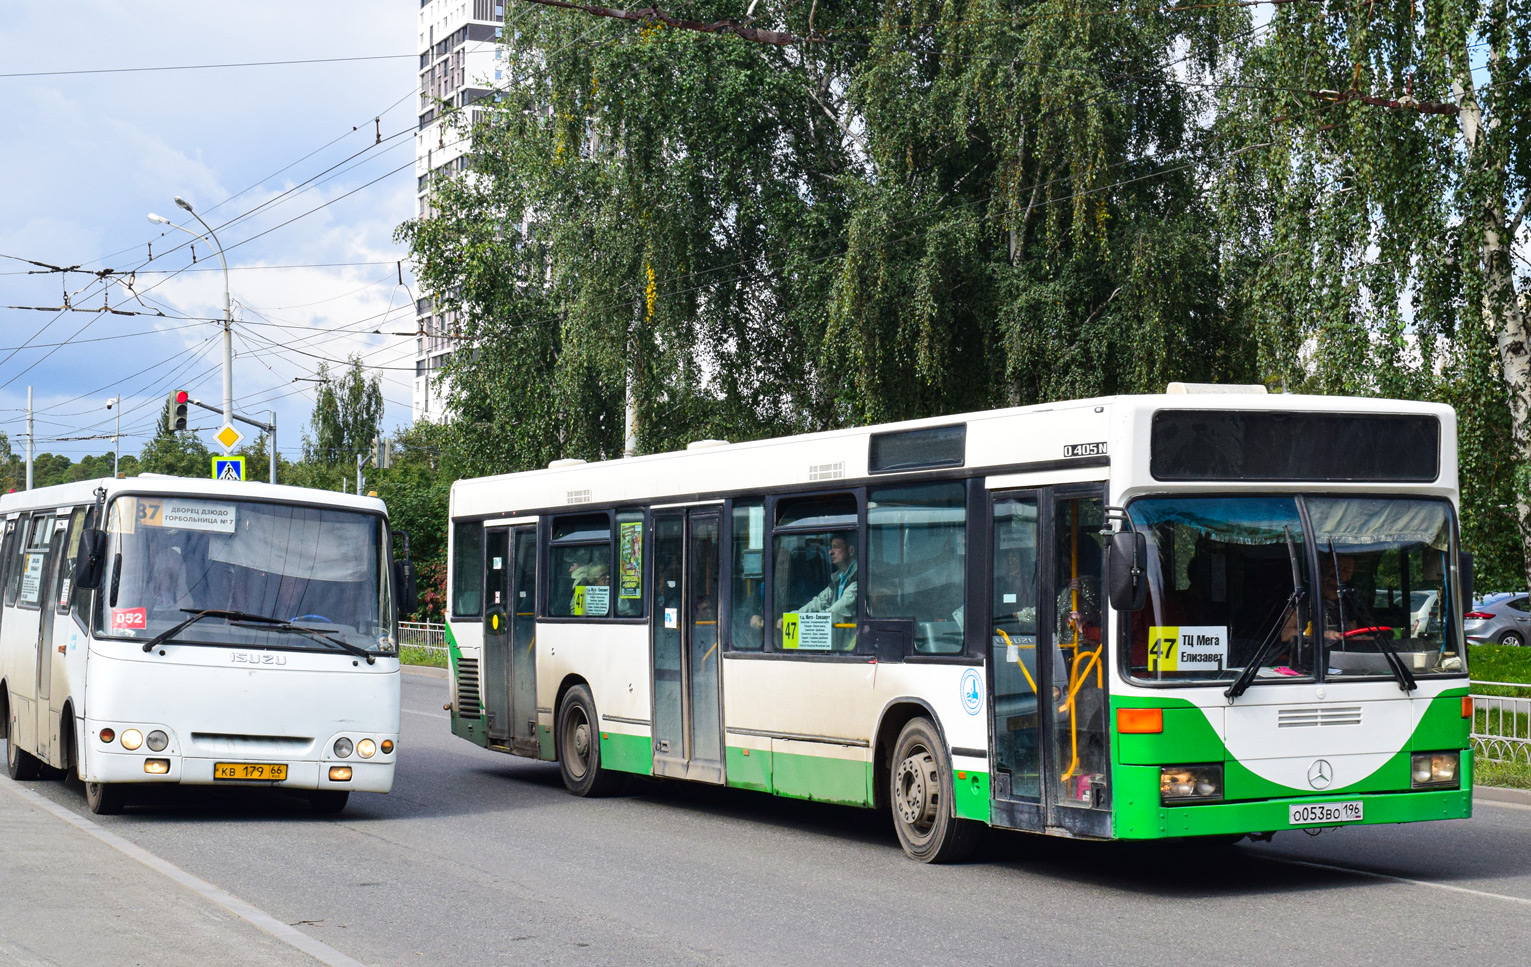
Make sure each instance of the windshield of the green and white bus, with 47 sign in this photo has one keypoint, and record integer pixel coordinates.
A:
(1233, 581)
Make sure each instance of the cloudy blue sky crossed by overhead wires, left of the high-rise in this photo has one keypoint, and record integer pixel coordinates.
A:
(87, 157)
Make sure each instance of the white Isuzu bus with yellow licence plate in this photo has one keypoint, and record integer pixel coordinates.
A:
(168, 631)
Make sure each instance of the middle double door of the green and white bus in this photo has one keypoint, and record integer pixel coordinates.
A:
(688, 714)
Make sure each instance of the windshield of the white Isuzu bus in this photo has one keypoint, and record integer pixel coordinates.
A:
(319, 568)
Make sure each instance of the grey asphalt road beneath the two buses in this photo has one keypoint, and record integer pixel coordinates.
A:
(485, 859)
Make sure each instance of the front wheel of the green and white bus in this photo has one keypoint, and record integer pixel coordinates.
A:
(921, 796)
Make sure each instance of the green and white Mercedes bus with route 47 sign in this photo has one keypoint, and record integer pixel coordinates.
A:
(1200, 614)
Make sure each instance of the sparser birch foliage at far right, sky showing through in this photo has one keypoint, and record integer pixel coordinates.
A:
(1360, 236)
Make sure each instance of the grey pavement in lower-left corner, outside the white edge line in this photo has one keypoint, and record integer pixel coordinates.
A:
(70, 899)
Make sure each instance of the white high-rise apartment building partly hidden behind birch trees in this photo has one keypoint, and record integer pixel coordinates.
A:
(459, 65)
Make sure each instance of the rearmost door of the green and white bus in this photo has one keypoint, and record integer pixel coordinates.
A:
(511, 663)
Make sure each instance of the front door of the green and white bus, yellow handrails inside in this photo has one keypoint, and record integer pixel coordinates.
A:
(1048, 663)
